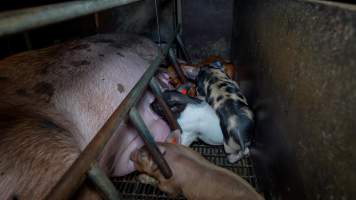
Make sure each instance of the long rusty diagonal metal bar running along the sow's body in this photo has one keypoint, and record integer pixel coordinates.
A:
(75, 175)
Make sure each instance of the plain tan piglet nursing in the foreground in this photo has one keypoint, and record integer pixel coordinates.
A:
(193, 175)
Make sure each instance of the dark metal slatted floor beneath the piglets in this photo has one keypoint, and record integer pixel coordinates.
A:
(129, 188)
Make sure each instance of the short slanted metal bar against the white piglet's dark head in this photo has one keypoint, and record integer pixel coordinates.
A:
(154, 85)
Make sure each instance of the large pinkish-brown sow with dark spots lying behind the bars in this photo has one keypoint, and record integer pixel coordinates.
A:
(60, 97)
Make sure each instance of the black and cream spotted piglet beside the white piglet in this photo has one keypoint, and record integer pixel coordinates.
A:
(236, 118)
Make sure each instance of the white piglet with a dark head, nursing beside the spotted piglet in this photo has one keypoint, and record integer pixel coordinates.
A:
(196, 118)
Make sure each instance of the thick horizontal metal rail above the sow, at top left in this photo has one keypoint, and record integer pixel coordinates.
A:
(29, 18)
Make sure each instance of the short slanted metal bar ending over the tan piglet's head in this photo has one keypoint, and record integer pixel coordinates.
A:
(150, 142)
